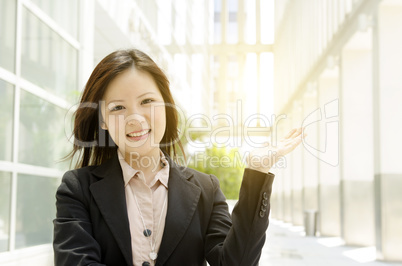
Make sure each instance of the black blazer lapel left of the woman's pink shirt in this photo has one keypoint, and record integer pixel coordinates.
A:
(110, 197)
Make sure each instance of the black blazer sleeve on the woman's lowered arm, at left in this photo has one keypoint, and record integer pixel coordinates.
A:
(73, 242)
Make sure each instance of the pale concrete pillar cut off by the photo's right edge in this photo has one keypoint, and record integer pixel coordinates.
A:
(388, 129)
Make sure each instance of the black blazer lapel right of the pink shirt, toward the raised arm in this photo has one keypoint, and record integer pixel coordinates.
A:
(183, 200)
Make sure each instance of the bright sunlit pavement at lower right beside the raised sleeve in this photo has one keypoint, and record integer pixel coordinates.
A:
(288, 245)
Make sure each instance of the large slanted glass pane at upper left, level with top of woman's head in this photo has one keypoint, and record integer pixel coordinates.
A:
(48, 60)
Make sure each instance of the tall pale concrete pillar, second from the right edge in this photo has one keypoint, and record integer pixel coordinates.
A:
(357, 140)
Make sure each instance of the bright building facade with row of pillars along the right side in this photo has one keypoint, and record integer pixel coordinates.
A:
(337, 73)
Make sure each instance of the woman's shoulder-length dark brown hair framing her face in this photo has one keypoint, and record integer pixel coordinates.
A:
(93, 144)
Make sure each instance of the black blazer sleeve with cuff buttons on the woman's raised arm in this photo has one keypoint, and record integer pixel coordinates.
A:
(242, 242)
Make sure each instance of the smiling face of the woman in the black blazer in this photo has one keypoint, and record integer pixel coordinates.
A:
(134, 113)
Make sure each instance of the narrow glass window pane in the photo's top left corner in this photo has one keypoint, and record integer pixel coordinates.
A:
(7, 34)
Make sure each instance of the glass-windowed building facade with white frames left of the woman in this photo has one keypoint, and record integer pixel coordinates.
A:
(40, 64)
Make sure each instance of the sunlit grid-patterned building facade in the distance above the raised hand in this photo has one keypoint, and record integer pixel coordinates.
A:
(242, 60)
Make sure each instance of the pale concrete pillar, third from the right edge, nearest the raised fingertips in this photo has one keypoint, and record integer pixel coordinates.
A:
(328, 154)
